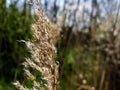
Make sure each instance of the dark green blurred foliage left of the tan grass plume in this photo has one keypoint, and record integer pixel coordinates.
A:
(15, 25)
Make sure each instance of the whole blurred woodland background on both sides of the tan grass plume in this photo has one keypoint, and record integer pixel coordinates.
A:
(88, 51)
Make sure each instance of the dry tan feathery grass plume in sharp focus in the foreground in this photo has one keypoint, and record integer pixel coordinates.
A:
(43, 53)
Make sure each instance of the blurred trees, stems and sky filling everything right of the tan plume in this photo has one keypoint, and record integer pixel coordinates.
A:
(89, 49)
